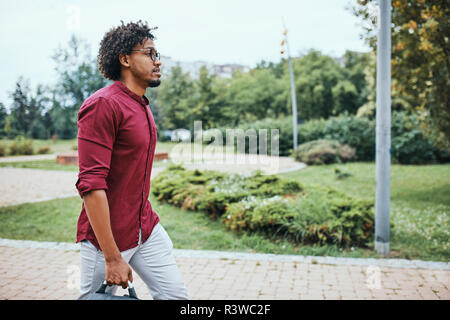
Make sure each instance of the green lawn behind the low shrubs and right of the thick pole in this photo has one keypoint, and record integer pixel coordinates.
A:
(420, 203)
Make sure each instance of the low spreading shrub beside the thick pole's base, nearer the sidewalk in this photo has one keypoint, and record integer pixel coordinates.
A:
(317, 216)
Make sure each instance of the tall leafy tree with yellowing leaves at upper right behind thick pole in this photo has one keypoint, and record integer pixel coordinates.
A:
(420, 58)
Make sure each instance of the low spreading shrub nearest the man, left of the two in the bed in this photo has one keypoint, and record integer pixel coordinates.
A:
(213, 191)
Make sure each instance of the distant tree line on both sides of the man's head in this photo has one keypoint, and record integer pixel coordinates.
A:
(325, 86)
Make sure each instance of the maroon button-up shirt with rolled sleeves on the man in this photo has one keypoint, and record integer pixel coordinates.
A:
(116, 145)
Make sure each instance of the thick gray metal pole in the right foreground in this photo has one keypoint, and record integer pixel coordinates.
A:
(383, 130)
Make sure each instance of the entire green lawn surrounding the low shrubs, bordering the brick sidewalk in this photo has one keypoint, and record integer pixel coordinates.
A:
(420, 204)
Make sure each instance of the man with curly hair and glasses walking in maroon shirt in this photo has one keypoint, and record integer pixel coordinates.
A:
(117, 134)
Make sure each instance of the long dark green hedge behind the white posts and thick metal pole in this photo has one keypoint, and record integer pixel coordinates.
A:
(408, 144)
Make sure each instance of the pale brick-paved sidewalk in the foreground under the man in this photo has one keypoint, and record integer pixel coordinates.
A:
(28, 270)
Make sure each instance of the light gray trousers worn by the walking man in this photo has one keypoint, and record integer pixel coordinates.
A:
(153, 261)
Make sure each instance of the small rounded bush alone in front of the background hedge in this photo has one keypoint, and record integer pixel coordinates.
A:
(324, 152)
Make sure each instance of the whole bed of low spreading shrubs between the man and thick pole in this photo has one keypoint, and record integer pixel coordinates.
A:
(269, 205)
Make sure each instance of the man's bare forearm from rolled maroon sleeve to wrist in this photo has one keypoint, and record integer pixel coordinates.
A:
(97, 209)
